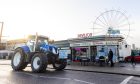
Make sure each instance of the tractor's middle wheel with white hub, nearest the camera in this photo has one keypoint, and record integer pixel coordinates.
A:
(39, 63)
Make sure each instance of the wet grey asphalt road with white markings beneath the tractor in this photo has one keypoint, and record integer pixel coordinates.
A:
(8, 76)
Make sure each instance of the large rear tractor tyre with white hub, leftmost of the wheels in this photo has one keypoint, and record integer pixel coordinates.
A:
(18, 60)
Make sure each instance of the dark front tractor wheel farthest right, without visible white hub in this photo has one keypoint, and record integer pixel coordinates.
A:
(60, 64)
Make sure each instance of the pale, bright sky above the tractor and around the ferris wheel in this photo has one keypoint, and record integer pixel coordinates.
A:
(63, 19)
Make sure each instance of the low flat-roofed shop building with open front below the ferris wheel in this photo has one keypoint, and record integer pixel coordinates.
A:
(94, 47)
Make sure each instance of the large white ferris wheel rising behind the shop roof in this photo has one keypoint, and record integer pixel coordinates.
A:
(112, 22)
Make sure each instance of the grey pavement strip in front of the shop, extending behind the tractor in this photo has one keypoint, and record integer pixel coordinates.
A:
(119, 68)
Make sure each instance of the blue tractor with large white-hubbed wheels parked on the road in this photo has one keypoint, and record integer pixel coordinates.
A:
(39, 53)
